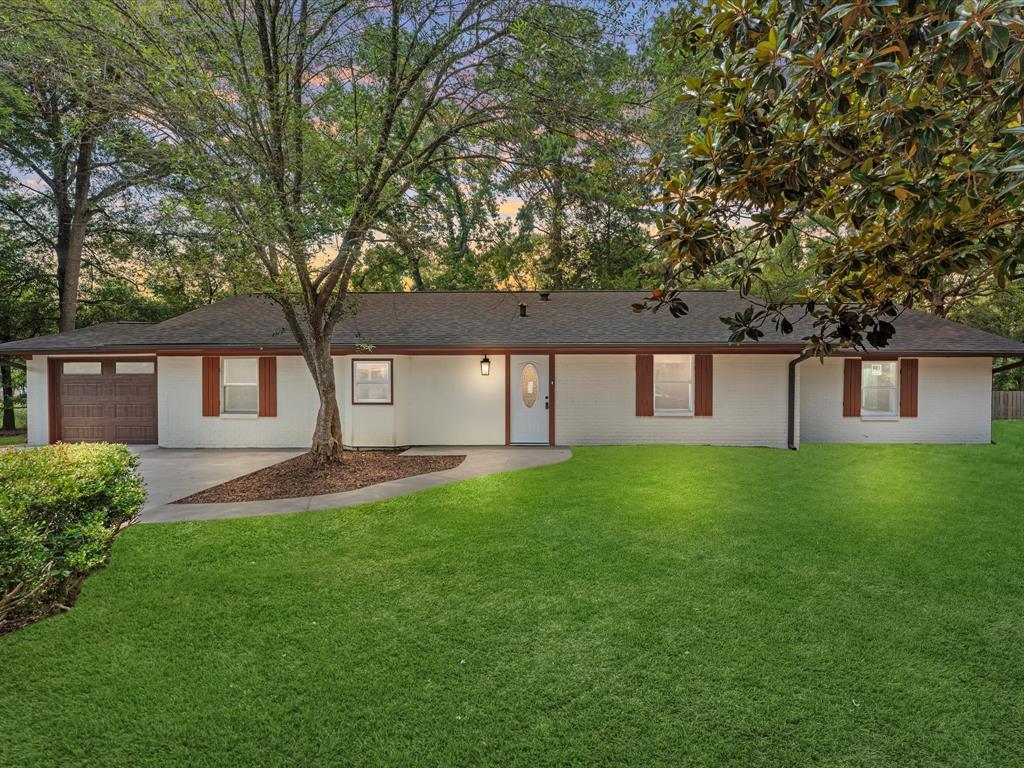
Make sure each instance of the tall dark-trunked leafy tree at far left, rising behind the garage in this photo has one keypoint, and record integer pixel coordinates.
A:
(69, 134)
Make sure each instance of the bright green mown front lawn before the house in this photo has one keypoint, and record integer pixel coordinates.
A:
(635, 607)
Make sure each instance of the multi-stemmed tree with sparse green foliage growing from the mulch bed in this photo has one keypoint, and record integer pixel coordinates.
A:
(304, 122)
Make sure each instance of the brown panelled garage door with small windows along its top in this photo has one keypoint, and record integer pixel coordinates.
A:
(109, 401)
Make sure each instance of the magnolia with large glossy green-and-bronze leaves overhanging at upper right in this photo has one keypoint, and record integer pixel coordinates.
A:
(888, 136)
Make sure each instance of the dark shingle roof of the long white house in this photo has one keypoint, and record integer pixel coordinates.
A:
(481, 320)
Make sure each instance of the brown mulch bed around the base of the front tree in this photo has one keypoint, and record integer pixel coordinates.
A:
(304, 477)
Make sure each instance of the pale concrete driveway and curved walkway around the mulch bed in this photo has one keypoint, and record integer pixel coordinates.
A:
(173, 475)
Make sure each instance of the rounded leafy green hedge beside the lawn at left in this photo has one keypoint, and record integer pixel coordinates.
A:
(61, 508)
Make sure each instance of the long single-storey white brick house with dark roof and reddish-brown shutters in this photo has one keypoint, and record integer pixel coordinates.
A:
(567, 368)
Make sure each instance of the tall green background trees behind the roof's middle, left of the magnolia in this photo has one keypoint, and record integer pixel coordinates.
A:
(565, 201)
